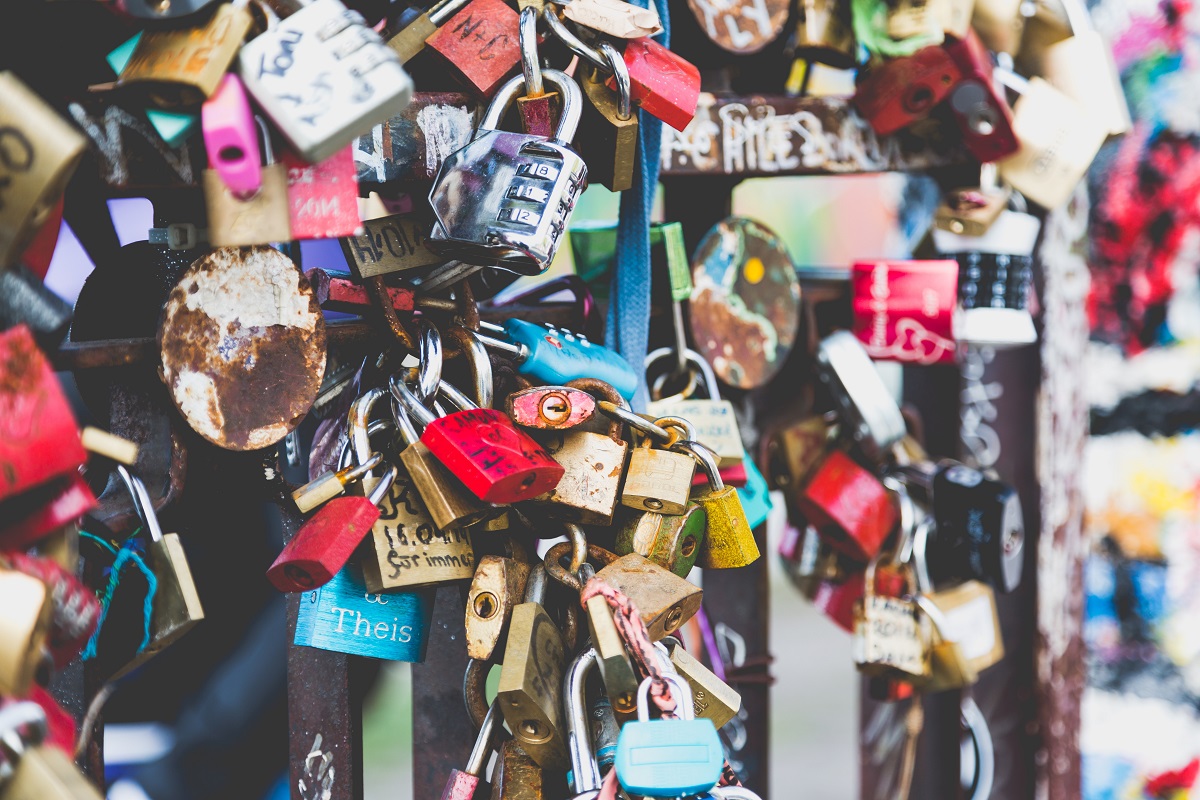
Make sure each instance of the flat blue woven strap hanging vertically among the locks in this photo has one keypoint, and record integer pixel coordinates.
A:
(629, 311)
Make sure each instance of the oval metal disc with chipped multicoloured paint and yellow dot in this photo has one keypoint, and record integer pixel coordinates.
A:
(746, 303)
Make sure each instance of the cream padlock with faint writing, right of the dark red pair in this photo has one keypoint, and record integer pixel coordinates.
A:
(1059, 140)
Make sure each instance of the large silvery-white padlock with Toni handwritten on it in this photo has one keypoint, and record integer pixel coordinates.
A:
(325, 79)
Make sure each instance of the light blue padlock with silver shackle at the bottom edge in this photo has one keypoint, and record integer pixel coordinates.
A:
(669, 759)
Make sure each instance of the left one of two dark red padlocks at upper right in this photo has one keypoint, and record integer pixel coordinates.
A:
(901, 92)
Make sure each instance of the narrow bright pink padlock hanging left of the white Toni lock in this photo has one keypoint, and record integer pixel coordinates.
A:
(231, 139)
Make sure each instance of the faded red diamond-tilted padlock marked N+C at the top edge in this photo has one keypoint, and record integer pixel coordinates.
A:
(481, 44)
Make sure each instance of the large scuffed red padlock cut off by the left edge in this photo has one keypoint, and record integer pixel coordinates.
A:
(39, 436)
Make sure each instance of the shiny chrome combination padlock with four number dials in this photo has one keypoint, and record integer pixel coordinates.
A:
(506, 199)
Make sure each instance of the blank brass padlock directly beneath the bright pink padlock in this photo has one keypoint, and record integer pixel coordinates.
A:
(259, 219)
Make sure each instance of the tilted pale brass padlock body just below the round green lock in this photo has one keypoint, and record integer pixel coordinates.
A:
(664, 600)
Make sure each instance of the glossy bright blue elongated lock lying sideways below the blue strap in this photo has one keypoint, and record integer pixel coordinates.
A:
(555, 356)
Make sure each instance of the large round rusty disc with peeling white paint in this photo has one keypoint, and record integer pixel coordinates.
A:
(243, 346)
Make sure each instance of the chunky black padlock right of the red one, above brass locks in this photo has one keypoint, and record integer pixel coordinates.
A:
(981, 530)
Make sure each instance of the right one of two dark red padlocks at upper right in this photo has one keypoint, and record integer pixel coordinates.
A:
(981, 111)
